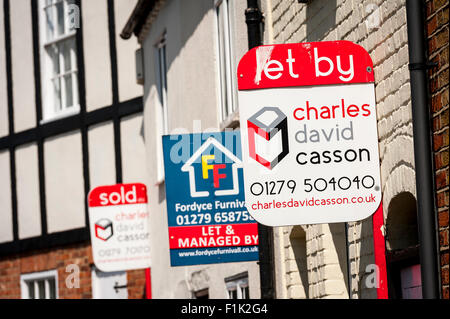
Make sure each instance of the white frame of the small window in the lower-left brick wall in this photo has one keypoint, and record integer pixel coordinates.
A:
(35, 278)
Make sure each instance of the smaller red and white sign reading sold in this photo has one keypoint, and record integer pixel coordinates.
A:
(119, 224)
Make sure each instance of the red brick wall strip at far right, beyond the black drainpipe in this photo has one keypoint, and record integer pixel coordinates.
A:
(437, 28)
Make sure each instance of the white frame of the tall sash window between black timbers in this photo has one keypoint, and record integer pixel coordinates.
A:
(48, 74)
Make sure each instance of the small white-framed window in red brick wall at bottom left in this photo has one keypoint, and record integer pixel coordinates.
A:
(41, 285)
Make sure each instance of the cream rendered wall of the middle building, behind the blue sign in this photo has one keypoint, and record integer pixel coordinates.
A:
(192, 96)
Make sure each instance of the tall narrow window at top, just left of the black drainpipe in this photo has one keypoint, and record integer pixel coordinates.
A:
(227, 83)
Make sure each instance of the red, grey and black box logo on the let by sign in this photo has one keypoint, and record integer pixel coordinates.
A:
(268, 131)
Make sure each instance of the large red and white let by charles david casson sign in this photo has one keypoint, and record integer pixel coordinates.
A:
(309, 133)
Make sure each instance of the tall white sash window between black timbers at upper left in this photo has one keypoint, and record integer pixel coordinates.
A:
(58, 60)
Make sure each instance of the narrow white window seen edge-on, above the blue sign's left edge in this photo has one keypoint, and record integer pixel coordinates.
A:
(161, 110)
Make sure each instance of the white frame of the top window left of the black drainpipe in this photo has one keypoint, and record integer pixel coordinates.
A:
(227, 97)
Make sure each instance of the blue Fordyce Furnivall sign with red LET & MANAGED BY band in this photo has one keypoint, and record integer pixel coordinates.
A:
(207, 217)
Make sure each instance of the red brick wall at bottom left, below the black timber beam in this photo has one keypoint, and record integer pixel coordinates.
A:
(12, 267)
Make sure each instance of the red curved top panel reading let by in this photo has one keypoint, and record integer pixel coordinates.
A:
(304, 64)
